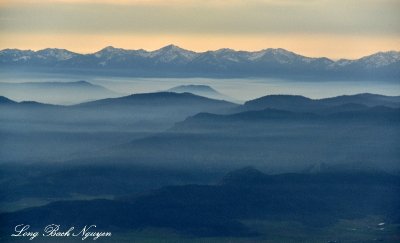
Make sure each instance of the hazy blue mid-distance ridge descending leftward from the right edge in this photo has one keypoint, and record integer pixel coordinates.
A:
(275, 140)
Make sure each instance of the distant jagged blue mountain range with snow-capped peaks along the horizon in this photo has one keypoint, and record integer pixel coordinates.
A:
(174, 61)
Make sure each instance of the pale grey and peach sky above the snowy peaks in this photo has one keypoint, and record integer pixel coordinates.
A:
(331, 28)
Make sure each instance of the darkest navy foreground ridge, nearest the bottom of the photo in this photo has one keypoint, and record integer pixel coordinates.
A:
(316, 200)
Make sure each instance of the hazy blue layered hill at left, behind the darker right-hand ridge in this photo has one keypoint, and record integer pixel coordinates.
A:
(34, 131)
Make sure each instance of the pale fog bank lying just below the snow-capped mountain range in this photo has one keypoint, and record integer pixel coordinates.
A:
(240, 89)
